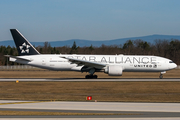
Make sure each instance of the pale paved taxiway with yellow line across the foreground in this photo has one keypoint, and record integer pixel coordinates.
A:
(124, 110)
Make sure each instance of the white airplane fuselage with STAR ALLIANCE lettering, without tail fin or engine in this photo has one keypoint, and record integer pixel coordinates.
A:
(129, 63)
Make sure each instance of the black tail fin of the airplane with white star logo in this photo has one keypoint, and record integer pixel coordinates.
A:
(23, 46)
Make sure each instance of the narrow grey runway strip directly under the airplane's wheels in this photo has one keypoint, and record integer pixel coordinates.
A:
(80, 79)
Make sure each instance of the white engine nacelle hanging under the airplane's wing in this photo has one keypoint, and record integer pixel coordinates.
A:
(114, 70)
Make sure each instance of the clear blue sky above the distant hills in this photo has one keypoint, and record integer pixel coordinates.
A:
(59, 20)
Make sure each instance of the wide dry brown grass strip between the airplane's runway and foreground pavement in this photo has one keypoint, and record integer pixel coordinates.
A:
(100, 91)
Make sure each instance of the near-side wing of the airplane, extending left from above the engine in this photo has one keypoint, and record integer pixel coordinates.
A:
(85, 63)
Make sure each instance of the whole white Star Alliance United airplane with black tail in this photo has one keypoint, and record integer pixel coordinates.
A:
(113, 65)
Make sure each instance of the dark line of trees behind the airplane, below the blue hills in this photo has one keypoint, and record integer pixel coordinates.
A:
(164, 48)
